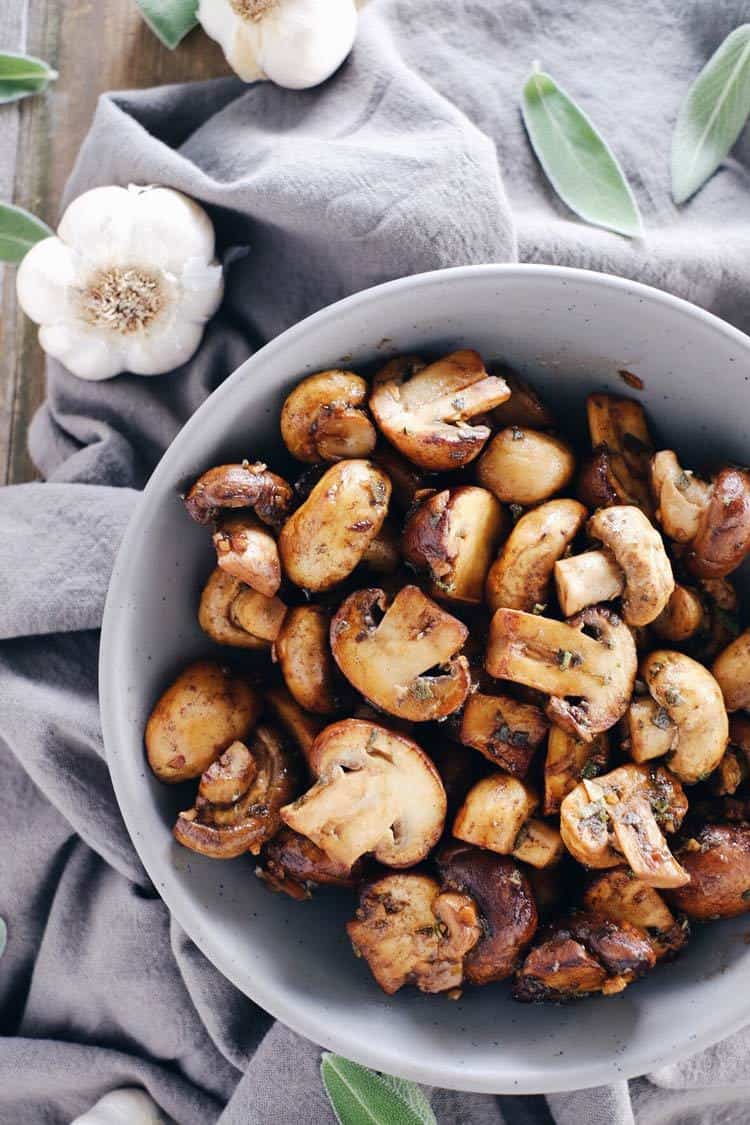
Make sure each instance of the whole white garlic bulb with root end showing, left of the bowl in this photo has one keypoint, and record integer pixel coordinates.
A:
(128, 285)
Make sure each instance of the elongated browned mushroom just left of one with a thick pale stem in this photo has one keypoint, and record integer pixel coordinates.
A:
(521, 577)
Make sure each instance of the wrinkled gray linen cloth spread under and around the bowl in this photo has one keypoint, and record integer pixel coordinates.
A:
(412, 158)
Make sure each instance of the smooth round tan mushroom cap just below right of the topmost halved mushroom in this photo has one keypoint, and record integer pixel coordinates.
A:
(526, 466)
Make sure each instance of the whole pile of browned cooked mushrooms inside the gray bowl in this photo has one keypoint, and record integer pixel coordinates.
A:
(493, 688)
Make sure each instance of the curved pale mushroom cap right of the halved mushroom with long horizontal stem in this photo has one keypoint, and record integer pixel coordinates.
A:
(692, 701)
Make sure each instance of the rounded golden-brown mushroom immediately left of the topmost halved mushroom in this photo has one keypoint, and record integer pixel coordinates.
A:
(324, 419)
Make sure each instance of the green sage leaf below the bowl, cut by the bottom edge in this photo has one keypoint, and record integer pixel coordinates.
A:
(362, 1097)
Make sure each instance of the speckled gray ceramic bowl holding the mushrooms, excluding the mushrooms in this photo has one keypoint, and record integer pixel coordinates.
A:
(572, 332)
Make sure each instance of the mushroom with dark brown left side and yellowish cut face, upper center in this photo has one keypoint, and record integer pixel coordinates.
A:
(454, 536)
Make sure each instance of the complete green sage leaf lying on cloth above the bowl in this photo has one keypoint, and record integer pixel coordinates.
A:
(576, 159)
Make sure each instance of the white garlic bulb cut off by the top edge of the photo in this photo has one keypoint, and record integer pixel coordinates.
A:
(294, 43)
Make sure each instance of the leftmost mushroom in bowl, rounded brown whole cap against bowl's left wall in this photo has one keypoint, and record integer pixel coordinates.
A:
(198, 717)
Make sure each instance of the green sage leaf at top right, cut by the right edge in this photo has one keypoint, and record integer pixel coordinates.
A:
(712, 116)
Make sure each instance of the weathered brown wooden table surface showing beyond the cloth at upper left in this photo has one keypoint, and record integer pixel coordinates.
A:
(96, 46)
